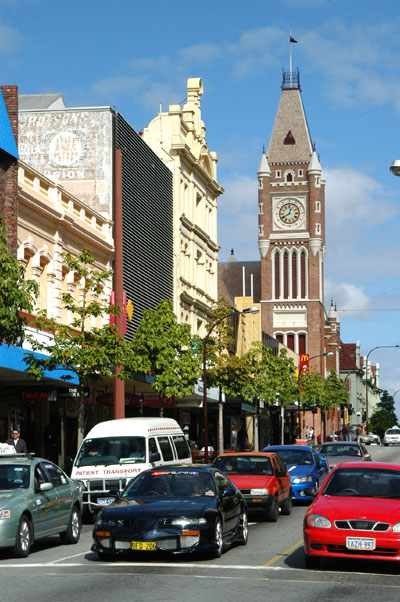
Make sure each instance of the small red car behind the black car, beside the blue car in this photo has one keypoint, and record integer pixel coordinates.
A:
(262, 478)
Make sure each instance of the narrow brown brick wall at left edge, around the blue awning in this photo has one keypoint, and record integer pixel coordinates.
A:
(9, 173)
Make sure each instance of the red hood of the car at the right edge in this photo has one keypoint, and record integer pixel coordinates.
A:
(367, 508)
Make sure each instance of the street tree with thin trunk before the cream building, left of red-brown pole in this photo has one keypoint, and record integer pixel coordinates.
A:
(90, 353)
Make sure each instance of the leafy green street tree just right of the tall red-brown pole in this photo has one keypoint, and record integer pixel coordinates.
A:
(162, 348)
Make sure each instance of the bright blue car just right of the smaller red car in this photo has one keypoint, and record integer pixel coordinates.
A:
(306, 467)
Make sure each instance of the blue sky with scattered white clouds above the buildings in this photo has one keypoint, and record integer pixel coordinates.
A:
(137, 55)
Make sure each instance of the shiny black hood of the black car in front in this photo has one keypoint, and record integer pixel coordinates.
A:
(167, 507)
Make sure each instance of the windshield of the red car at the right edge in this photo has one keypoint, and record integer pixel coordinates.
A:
(358, 482)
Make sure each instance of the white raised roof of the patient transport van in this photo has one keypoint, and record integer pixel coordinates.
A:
(139, 427)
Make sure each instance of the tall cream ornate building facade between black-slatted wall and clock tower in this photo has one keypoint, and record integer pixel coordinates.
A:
(178, 137)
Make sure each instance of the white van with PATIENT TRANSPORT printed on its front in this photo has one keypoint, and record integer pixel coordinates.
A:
(116, 451)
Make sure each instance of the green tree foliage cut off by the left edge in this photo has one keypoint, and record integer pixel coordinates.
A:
(16, 294)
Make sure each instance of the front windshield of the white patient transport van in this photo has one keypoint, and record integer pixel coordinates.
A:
(112, 450)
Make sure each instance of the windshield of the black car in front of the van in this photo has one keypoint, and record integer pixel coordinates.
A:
(181, 484)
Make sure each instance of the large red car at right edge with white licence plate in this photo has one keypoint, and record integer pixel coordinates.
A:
(355, 514)
